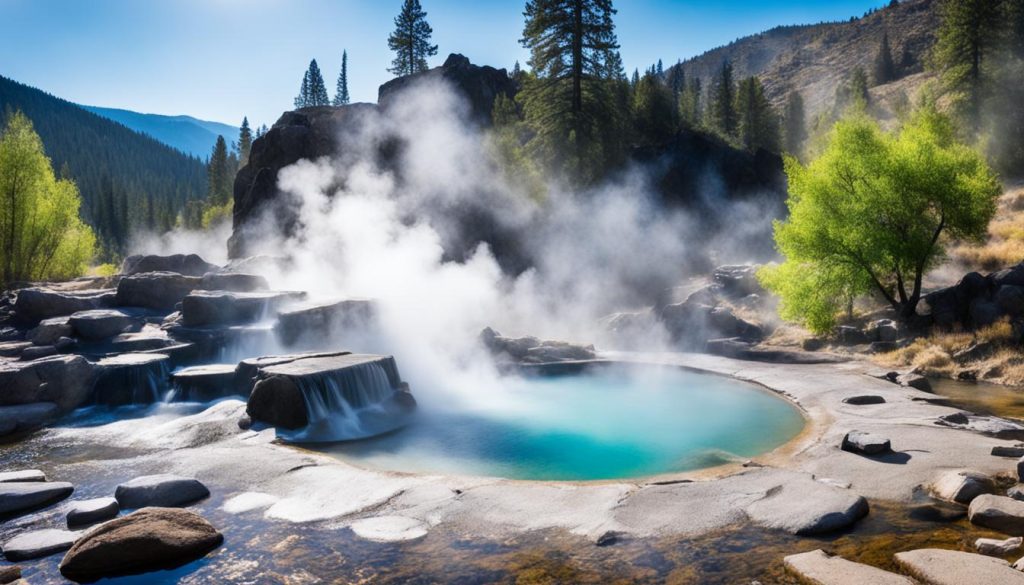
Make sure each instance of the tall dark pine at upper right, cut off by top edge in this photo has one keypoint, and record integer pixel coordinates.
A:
(966, 37)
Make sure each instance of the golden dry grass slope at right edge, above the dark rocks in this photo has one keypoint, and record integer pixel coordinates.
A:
(1005, 246)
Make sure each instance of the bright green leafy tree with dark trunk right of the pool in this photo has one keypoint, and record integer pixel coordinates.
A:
(872, 213)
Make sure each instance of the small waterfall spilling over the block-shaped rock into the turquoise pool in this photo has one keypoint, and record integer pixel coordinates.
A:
(354, 403)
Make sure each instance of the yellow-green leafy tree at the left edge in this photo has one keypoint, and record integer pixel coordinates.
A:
(41, 234)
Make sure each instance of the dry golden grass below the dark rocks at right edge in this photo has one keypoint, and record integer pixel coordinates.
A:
(991, 354)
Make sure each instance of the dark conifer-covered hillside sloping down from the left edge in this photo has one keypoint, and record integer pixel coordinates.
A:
(129, 181)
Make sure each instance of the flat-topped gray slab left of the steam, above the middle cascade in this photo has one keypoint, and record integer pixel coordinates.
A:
(204, 309)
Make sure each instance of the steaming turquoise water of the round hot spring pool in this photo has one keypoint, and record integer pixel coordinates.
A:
(606, 424)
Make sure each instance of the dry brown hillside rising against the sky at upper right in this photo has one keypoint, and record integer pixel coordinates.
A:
(816, 59)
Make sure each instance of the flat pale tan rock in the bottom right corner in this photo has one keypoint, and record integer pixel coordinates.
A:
(938, 567)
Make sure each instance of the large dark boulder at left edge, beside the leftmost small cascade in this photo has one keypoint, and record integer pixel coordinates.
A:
(65, 381)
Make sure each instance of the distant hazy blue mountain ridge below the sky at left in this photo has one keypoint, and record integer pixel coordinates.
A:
(191, 136)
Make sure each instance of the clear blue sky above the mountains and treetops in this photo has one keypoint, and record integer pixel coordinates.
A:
(221, 60)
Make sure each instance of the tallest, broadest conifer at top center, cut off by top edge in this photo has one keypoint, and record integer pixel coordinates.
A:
(568, 104)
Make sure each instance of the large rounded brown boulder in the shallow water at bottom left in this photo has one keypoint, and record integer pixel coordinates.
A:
(147, 540)
